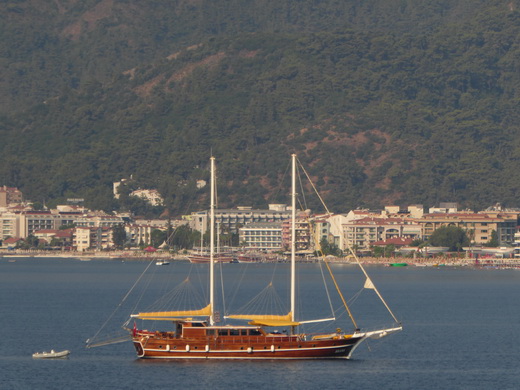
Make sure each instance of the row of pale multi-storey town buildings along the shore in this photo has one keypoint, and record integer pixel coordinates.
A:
(393, 235)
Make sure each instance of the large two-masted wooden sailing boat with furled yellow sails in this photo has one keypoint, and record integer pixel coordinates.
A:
(196, 335)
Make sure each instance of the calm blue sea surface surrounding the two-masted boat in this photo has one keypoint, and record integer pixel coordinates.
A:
(461, 329)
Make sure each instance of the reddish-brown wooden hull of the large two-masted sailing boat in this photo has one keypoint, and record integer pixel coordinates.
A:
(250, 348)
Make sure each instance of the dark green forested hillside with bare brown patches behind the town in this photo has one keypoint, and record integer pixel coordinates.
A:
(384, 101)
